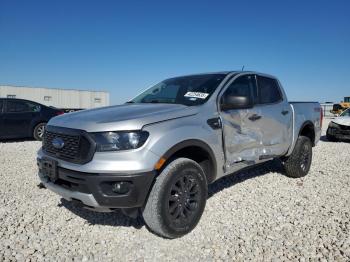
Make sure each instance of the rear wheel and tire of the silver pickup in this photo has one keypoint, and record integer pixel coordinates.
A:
(298, 163)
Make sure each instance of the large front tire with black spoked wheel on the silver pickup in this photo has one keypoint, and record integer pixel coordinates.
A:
(177, 199)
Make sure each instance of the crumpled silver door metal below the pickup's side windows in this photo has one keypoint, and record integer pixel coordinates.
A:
(253, 141)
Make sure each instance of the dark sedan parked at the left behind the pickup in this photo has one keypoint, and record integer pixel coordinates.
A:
(21, 118)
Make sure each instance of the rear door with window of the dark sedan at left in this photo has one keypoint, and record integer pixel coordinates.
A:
(18, 117)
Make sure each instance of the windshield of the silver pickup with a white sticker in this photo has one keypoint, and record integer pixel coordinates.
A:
(186, 90)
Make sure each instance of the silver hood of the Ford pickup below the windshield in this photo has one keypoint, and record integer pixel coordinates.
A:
(122, 117)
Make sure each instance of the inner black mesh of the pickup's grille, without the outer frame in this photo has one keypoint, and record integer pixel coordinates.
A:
(70, 149)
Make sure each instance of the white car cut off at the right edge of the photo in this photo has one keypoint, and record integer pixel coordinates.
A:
(339, 128)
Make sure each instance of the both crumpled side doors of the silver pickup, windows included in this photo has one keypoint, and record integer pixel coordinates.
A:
(257, 133)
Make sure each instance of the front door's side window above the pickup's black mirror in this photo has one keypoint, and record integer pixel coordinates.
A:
(242, 86)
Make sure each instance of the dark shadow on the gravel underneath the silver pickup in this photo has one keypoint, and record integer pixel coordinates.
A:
(118, 219)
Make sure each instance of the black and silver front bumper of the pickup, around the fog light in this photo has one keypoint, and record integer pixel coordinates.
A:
(95, 190)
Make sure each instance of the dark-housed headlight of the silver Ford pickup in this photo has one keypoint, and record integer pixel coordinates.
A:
(116, 141)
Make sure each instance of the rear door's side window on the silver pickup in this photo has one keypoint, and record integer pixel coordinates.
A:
(269, 91)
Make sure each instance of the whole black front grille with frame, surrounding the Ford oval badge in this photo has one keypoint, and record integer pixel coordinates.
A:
(78, 147)
